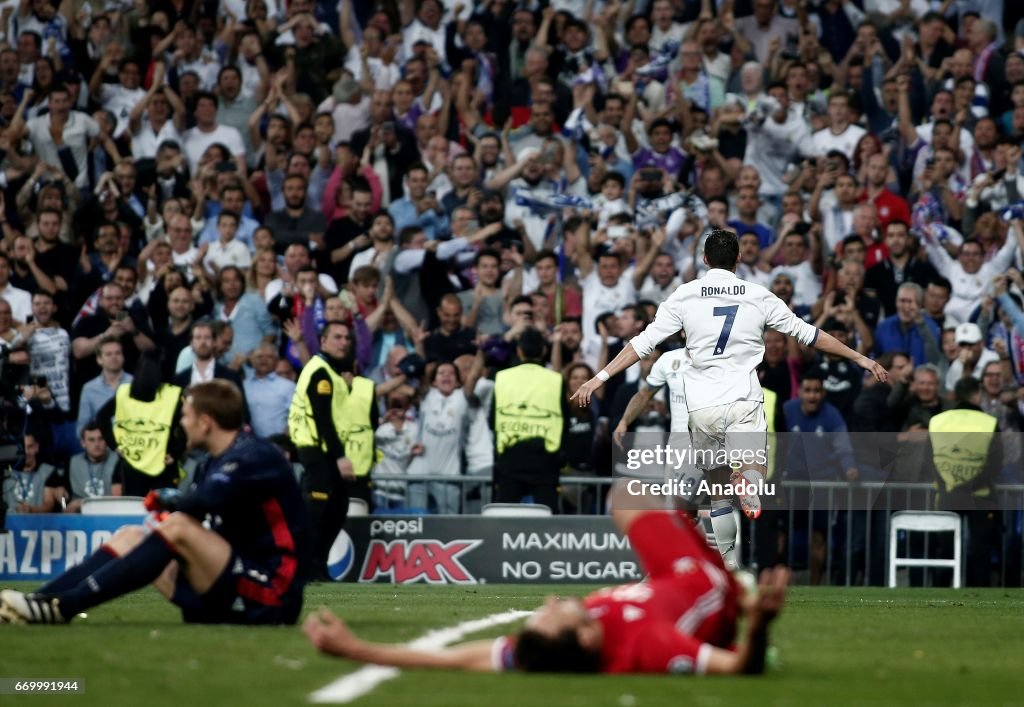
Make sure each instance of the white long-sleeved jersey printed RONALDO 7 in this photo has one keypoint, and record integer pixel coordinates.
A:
(724, 320)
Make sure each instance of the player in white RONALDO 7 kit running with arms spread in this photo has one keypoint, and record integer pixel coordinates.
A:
(724, 321)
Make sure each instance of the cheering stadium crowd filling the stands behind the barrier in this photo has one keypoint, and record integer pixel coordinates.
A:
(209, 183)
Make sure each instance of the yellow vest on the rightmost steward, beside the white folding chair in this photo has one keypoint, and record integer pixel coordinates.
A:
(961, 440)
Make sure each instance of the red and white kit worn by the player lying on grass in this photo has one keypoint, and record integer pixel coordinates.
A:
(669, 623)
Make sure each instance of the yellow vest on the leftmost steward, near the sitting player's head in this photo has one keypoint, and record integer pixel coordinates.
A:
(143, 431)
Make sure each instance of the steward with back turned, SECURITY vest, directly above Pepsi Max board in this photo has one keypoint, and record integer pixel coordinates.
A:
(529, 417)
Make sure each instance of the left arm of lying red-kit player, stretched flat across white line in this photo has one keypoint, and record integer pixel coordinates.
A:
(331, 636)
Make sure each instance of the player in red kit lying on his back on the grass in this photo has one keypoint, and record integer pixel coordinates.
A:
(681, 620)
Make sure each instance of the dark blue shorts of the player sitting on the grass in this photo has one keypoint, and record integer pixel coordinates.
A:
(247, 593)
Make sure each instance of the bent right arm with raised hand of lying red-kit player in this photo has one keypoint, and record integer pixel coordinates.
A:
(760, 612)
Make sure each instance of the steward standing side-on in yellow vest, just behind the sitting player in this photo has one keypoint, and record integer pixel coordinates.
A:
(331, 423)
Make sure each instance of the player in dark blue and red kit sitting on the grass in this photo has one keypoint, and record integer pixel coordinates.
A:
(248, 569)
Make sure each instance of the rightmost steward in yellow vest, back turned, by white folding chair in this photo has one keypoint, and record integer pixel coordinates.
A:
(967, 456)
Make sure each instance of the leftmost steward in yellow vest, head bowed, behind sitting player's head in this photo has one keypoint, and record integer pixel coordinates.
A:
(142, 423)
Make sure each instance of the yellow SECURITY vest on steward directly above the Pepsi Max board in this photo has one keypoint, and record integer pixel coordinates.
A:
(529, 405)
